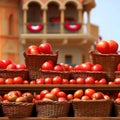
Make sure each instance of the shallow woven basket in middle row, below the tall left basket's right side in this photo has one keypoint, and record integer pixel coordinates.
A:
(48, 73)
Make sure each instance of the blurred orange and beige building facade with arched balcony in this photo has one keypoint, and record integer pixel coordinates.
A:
(65, 24)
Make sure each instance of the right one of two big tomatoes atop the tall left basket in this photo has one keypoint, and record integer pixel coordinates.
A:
(45, 48)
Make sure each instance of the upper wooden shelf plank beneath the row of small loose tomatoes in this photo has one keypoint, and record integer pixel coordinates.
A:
(63, 87)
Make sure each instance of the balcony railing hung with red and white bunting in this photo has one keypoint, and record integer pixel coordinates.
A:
(60, 28)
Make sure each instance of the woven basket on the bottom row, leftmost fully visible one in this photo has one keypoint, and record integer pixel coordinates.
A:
(20, 109)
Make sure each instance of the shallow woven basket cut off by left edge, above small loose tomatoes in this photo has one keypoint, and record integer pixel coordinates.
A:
(14, 73)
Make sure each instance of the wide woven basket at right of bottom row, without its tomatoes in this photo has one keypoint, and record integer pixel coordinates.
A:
(92, 108)
